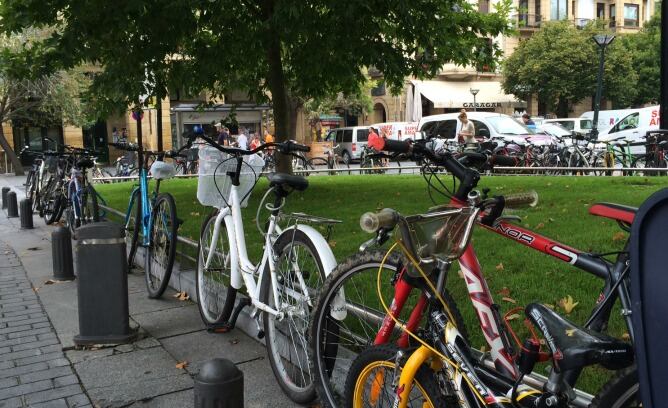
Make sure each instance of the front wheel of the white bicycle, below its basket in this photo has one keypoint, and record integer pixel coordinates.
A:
(215, 295)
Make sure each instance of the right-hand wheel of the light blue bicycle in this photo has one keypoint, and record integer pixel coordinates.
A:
(161, 248)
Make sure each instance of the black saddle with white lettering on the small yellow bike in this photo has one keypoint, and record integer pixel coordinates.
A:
(576, 347)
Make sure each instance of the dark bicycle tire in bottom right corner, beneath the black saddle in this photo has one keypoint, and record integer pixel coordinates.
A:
(621, 391)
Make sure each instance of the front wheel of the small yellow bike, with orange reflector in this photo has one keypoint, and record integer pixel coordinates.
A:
(370, 382)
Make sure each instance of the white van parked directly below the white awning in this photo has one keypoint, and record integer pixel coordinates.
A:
(488, 125)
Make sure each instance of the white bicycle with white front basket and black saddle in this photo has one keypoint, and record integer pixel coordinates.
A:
(283, 285)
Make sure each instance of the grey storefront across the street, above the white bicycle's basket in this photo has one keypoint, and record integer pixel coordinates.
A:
(184, 117)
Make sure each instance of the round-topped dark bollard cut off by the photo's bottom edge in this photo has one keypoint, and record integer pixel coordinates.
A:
(219, 384)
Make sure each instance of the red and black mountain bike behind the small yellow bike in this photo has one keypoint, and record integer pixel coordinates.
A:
(344, 305)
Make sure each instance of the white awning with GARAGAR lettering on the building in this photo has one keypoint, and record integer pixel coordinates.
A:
(451, 94)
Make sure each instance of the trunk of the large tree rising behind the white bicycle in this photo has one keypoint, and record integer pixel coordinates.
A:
(276, 82)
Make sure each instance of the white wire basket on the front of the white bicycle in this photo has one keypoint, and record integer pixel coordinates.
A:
(214, 184)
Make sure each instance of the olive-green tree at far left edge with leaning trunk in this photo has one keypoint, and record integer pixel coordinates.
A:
(44, 100)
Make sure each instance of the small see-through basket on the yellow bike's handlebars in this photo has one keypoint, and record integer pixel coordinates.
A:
(442, 234)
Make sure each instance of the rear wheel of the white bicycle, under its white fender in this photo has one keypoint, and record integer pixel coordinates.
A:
(287, 337)
